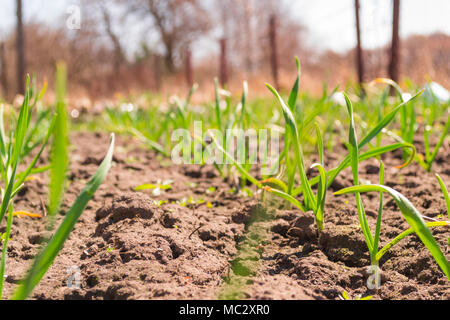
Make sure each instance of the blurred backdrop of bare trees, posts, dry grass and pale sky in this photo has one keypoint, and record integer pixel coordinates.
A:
(128, 46)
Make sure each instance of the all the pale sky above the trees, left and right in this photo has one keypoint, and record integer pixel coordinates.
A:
(329, 23)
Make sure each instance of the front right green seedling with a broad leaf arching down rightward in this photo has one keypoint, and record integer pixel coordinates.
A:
(410, 213)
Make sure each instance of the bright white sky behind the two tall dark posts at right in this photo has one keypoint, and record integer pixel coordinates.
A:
(331, 23)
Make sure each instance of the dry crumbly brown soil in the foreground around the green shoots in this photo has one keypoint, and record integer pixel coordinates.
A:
(219, 244)
